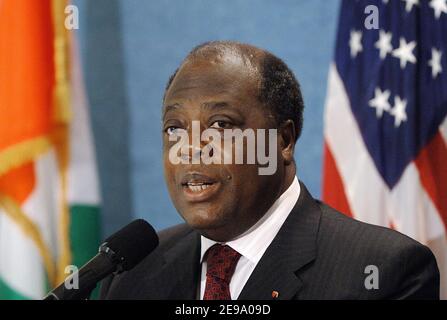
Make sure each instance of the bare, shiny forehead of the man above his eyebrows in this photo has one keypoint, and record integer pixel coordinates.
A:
(208, 78)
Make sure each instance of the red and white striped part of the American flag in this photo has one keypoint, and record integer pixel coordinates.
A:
(416, 206)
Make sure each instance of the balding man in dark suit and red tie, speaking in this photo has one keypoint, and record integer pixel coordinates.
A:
(254, 236)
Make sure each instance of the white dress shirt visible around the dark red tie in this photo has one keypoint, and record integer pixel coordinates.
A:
(253, 243)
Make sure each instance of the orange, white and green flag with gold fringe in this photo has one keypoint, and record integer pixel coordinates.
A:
(49, 197)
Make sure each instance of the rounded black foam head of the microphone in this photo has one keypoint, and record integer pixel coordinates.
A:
(133, 243)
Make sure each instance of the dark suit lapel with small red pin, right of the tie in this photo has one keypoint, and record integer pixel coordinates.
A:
(293, 248)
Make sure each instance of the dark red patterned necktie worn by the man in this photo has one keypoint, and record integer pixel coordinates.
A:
(221, 262)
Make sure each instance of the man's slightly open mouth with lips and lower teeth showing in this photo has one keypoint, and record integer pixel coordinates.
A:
(198, 187)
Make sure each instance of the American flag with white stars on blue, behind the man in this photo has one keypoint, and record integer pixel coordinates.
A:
(385, 153)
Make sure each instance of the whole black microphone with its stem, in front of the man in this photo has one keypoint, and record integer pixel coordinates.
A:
(120, 252)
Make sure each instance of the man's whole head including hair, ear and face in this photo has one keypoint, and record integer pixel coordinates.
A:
(228, 85)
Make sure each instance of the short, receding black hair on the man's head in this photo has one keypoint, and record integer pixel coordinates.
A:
(279, 89)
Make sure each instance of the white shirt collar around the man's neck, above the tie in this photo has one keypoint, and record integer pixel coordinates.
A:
(253, 243)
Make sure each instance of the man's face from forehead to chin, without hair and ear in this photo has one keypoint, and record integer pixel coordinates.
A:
(220, 96)
